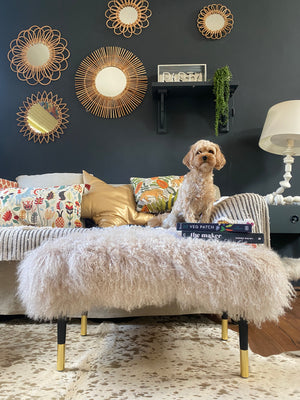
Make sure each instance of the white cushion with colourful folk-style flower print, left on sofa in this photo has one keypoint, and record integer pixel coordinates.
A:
(59, 206)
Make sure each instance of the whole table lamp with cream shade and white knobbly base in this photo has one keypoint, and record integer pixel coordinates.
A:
(281, 135)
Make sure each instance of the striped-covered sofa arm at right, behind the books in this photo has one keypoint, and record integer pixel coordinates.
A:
(245, 206)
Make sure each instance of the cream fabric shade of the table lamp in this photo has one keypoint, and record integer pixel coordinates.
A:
(282, 126)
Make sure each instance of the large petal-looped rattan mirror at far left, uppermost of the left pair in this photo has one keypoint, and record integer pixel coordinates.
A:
(38, 55)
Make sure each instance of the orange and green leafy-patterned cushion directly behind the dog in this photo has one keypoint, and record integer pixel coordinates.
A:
(157, 194)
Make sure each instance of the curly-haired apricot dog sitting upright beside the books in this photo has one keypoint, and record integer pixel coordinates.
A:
(196, 194)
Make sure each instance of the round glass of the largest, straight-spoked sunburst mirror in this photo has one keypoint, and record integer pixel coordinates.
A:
(110, 81)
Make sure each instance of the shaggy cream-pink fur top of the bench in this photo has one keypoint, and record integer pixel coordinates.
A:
(130, 267)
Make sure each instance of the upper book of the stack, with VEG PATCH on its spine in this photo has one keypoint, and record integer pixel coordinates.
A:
(213, 227)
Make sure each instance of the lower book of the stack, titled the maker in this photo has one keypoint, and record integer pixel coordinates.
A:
(241, 237)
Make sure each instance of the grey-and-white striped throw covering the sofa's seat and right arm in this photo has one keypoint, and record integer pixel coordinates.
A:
(14, 242)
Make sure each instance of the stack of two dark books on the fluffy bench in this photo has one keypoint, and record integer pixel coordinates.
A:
(234, 232)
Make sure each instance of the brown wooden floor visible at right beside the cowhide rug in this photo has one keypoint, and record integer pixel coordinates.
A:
(275, 338)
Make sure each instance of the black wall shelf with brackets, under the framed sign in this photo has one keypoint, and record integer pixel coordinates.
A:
(162, 90)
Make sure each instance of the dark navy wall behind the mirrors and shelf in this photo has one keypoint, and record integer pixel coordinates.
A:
(263, 54)
